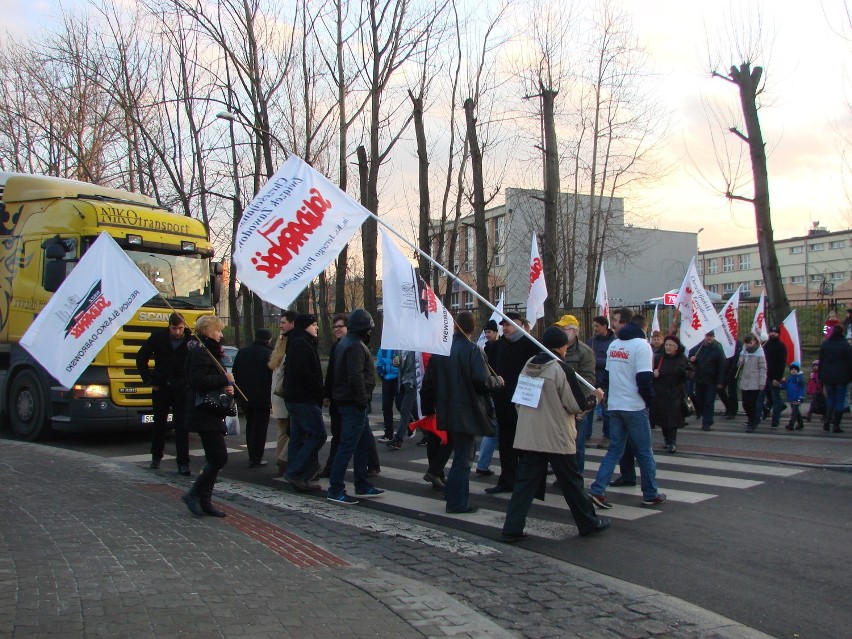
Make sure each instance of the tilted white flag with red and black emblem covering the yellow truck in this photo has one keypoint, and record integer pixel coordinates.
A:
(101, 295)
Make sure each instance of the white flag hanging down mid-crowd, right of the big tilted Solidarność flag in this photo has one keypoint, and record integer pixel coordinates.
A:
(414, 318)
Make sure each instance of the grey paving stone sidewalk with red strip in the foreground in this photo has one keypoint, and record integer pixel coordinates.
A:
(93, 548)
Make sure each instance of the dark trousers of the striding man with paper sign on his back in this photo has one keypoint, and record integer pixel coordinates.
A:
(532, 473)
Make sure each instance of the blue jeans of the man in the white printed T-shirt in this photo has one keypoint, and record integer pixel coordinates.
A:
(624, 426)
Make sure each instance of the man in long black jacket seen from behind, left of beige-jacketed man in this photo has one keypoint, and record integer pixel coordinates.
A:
(456, 389)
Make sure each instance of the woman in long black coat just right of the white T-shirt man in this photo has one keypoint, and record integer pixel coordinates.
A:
(670, 368)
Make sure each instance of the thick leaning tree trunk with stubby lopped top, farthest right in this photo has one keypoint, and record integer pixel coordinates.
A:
(748, 81)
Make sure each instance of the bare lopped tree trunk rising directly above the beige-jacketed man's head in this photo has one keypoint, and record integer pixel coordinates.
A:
(551, 202)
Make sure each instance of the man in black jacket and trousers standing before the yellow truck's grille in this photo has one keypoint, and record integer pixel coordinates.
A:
(168, 387)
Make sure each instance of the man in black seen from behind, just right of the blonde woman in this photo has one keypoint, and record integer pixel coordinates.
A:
(254, 379)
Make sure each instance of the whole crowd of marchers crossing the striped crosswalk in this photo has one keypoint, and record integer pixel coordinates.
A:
(535, 401)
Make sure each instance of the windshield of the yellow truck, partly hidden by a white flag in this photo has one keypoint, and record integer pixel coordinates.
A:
(184, 280)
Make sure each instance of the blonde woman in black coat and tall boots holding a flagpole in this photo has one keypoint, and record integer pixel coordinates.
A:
(204, 372)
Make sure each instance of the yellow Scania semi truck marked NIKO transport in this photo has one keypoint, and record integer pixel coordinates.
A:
(46, 225)
